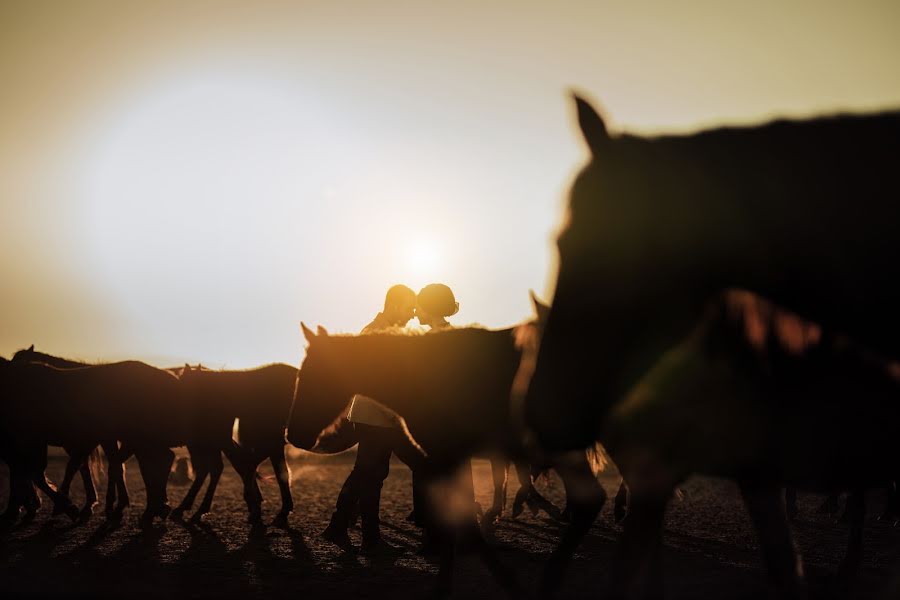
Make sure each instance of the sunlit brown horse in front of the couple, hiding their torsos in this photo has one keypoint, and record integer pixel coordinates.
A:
(452, 389)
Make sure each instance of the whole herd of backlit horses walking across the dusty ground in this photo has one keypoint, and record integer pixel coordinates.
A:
(726, 304)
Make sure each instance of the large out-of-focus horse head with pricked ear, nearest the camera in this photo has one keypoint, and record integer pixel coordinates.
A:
(616, 275)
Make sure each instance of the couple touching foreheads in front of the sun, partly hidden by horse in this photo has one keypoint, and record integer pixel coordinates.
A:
(381, 431)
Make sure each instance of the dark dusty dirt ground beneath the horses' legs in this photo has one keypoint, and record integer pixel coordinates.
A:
(710, 549)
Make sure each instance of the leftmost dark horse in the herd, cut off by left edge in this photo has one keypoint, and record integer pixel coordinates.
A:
(129, 401)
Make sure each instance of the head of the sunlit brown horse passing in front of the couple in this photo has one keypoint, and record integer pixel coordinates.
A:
(319, 394)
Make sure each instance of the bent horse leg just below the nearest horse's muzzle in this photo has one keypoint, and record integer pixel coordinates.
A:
(586, 498)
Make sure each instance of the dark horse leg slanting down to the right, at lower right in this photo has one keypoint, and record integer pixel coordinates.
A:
(767, 511)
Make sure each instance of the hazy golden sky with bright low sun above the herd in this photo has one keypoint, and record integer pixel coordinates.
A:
(188, 181)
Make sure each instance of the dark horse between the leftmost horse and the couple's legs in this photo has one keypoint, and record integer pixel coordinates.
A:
(261, 400)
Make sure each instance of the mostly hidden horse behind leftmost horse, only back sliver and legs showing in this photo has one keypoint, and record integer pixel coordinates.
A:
(81, 459)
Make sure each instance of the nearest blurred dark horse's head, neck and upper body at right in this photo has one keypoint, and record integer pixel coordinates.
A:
(657, 227)
